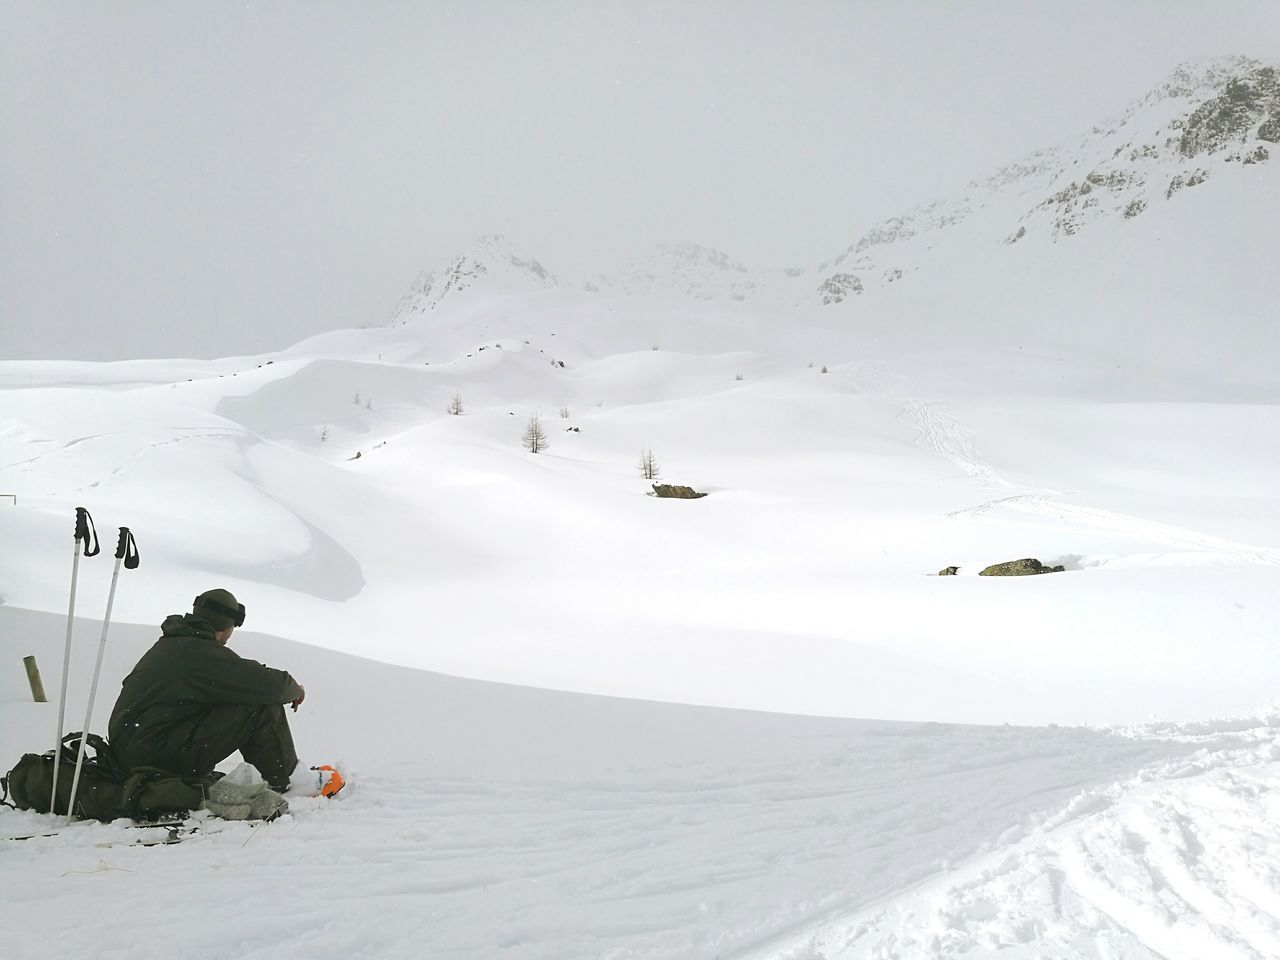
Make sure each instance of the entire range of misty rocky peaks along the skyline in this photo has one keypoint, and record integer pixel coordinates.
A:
(1217, 120)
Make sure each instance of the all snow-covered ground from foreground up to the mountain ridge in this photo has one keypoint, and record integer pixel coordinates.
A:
(587, 723)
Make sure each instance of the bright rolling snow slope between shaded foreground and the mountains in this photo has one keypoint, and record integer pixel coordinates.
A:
(834, 499)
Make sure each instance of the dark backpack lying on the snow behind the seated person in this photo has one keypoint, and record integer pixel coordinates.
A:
(106, 792)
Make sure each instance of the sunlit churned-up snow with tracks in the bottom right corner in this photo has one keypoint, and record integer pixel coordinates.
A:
(1178, 863)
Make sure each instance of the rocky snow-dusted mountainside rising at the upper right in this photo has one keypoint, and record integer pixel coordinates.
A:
(1206, 120)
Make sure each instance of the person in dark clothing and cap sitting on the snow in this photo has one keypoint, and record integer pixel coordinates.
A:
(191, 703)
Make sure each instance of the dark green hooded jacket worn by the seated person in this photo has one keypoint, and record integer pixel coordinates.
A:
(177, 683)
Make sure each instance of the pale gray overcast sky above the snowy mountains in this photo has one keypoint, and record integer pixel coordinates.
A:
(208, 180)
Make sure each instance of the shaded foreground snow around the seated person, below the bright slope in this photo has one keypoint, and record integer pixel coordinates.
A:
(487, 821)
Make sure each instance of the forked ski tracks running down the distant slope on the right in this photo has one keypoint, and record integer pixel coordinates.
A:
(943, 435)
